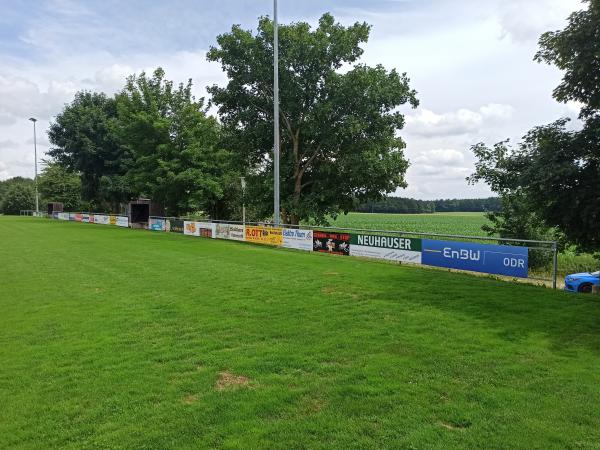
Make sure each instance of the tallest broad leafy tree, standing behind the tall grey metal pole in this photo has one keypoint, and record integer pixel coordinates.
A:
(339, 128)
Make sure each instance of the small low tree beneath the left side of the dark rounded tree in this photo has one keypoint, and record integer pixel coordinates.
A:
(57, 184)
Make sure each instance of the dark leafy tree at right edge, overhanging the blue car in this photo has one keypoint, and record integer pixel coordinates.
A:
(553, 175)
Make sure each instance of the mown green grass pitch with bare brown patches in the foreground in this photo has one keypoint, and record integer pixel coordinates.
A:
(117, 338)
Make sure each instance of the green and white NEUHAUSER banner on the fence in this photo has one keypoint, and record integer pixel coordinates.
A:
(393, 248)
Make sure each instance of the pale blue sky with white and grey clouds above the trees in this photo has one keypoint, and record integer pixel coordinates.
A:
(471, 62)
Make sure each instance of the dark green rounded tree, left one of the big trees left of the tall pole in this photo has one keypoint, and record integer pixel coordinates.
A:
(84, 142)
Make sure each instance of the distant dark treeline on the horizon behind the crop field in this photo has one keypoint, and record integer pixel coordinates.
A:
(399, 205)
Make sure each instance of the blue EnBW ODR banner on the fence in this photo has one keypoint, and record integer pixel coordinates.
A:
(486, 258)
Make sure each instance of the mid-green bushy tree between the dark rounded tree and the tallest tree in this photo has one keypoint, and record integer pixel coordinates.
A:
(178, 161)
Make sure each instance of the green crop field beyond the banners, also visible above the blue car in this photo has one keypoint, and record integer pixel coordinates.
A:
(465, 223)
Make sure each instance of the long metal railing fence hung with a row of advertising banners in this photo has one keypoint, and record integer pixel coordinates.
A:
(504, 257)
